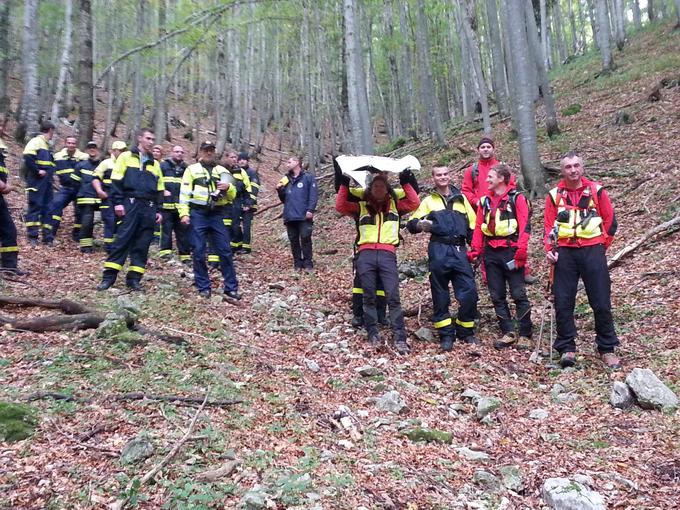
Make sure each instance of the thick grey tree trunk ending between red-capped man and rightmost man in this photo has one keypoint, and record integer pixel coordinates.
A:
(532, 169)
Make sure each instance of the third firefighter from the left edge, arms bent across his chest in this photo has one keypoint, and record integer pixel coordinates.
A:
(65, 162)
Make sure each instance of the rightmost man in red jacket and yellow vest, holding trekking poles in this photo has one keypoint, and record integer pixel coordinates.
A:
(579, 226)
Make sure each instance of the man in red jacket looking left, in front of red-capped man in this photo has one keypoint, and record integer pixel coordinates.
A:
(502, 233)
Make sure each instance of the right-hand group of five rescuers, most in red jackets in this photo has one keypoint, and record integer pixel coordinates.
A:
(486, 225)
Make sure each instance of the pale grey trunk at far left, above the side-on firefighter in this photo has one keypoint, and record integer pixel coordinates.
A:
(28, 121)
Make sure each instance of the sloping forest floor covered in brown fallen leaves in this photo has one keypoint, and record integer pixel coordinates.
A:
(308, 433)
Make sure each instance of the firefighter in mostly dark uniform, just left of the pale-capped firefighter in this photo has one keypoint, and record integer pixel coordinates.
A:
(88, 199)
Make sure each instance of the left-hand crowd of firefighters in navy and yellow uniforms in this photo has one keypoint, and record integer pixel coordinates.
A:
(137, 194)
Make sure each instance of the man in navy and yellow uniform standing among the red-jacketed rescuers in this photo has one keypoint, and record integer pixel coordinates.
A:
(450, 219)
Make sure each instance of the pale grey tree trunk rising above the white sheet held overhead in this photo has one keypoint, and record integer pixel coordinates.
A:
(356, 83)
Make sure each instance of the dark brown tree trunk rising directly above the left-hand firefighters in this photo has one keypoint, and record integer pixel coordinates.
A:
(85, 80)
